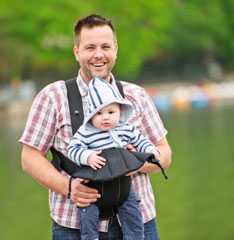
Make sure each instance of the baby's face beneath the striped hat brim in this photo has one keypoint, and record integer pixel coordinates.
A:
(107, 118)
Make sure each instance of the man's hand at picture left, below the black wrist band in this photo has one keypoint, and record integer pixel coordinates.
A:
(82, 195)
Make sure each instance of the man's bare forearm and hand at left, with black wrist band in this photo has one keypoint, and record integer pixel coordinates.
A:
(36, 165)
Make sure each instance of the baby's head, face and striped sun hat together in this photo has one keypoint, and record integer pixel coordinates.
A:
(105, 100)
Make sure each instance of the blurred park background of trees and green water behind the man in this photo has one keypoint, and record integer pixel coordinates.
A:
(181, 51)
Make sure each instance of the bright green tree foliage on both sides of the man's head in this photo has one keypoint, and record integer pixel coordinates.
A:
(40, 35)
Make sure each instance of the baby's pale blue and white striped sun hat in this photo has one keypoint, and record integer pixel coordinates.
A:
(100, 94)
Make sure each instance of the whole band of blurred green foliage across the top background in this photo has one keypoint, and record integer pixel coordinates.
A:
(38, 35)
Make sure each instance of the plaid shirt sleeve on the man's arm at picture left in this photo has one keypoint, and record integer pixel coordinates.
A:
(41, 123)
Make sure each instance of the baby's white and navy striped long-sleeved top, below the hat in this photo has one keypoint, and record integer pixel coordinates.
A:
(87, 139)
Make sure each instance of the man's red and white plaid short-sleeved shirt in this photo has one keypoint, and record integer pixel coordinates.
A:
(49, 124)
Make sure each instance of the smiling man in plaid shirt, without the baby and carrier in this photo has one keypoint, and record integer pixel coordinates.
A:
(49, 125)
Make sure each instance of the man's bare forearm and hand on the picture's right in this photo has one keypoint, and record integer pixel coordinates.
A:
(164, 158)
